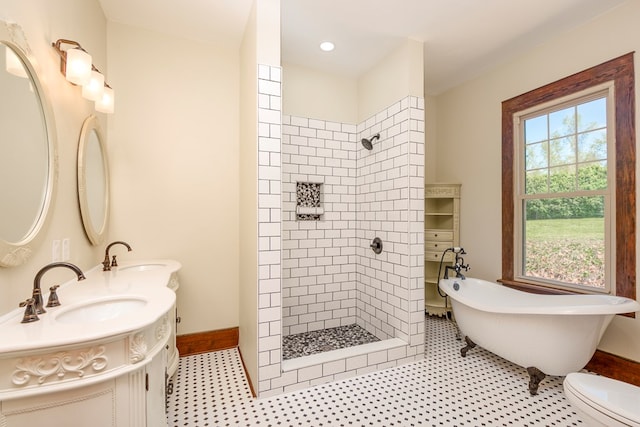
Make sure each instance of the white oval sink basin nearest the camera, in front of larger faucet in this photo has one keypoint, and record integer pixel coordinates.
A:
(101, 310)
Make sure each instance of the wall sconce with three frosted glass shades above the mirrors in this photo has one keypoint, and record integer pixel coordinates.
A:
(76, 66)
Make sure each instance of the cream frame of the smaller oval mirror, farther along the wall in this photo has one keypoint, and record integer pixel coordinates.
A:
(90, 125)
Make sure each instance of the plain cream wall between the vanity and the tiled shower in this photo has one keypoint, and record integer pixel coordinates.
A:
(174, 165)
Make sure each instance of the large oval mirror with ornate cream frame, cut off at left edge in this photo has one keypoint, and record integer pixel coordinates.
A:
(28, 162)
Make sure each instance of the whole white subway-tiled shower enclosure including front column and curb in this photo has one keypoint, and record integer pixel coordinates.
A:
(323, 198)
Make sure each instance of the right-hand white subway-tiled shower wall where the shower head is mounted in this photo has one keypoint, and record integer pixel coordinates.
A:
(389, 200)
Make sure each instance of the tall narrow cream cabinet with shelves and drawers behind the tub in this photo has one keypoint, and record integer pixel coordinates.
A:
(441, 231)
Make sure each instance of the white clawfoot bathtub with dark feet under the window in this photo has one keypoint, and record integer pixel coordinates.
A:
(547, 334)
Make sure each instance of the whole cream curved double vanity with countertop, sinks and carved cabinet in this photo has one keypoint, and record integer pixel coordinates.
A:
(104, 357)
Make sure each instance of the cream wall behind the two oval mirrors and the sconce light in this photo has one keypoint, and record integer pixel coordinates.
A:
(44, 22)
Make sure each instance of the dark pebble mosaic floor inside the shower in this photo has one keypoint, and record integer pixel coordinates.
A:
(314, 342)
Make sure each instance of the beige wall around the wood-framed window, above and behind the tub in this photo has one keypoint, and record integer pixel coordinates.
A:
(469, 139)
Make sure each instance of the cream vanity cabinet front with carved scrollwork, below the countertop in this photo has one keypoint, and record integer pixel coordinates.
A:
(126, 383)
